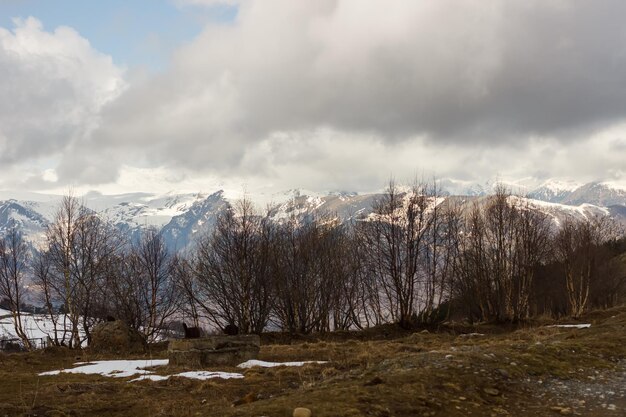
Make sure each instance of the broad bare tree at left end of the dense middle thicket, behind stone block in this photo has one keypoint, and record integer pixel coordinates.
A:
(231, 268)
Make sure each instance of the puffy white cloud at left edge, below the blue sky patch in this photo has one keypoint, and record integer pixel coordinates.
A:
(53, 86)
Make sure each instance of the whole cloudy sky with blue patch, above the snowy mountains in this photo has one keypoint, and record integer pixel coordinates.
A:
(331, 95)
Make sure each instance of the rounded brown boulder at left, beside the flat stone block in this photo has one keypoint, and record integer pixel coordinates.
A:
(117, 337)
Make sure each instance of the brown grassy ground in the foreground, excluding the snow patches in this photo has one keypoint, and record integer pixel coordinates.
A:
(533, 370)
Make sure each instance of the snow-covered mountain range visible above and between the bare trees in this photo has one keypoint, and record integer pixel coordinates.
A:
(183, 217)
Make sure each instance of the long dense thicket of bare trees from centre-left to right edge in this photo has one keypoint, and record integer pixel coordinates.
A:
(416, 259)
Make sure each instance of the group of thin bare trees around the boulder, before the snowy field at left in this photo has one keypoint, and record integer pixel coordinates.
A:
(87, 271)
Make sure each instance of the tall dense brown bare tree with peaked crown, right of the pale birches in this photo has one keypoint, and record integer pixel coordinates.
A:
(504, 243)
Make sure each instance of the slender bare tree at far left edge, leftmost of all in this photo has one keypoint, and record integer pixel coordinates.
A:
(14, 258)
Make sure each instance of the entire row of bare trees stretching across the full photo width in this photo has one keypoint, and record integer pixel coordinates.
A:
(416, 258)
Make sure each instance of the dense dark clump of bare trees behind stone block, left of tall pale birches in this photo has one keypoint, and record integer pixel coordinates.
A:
(254, 272)
